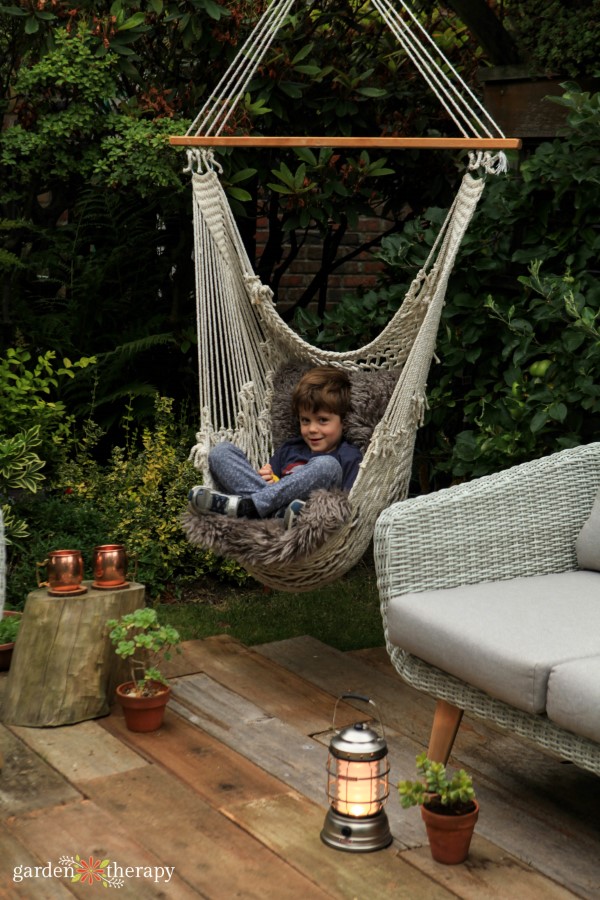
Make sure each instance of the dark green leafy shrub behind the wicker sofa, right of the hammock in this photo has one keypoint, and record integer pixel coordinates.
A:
(519, 344)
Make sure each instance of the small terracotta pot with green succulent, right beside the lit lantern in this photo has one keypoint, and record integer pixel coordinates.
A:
(448, 807)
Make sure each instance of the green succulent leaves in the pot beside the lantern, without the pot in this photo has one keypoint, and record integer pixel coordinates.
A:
(436, 790)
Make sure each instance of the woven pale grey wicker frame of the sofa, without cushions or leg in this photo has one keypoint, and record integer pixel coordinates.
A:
(523, 521)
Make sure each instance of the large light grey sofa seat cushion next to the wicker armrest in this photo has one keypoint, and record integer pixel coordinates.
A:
(503, 637)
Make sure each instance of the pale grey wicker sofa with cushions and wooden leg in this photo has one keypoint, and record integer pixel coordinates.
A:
(490, 597)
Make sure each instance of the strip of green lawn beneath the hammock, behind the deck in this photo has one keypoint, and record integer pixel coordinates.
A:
(344, 614)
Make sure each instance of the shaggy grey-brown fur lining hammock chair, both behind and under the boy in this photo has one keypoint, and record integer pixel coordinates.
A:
(264, 541)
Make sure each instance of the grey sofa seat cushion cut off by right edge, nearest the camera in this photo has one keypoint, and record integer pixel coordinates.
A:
(573, 700)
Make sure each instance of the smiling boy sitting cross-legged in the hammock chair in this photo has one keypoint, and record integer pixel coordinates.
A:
(319, 458)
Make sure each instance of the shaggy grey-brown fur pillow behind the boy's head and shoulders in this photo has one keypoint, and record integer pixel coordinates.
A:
(371, 392)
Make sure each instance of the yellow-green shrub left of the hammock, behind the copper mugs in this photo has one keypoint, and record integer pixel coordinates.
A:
(136, 498)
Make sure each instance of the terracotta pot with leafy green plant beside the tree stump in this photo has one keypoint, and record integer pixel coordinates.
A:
(139, 638)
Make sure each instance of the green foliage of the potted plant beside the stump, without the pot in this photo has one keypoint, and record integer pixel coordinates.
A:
(143, 641)
